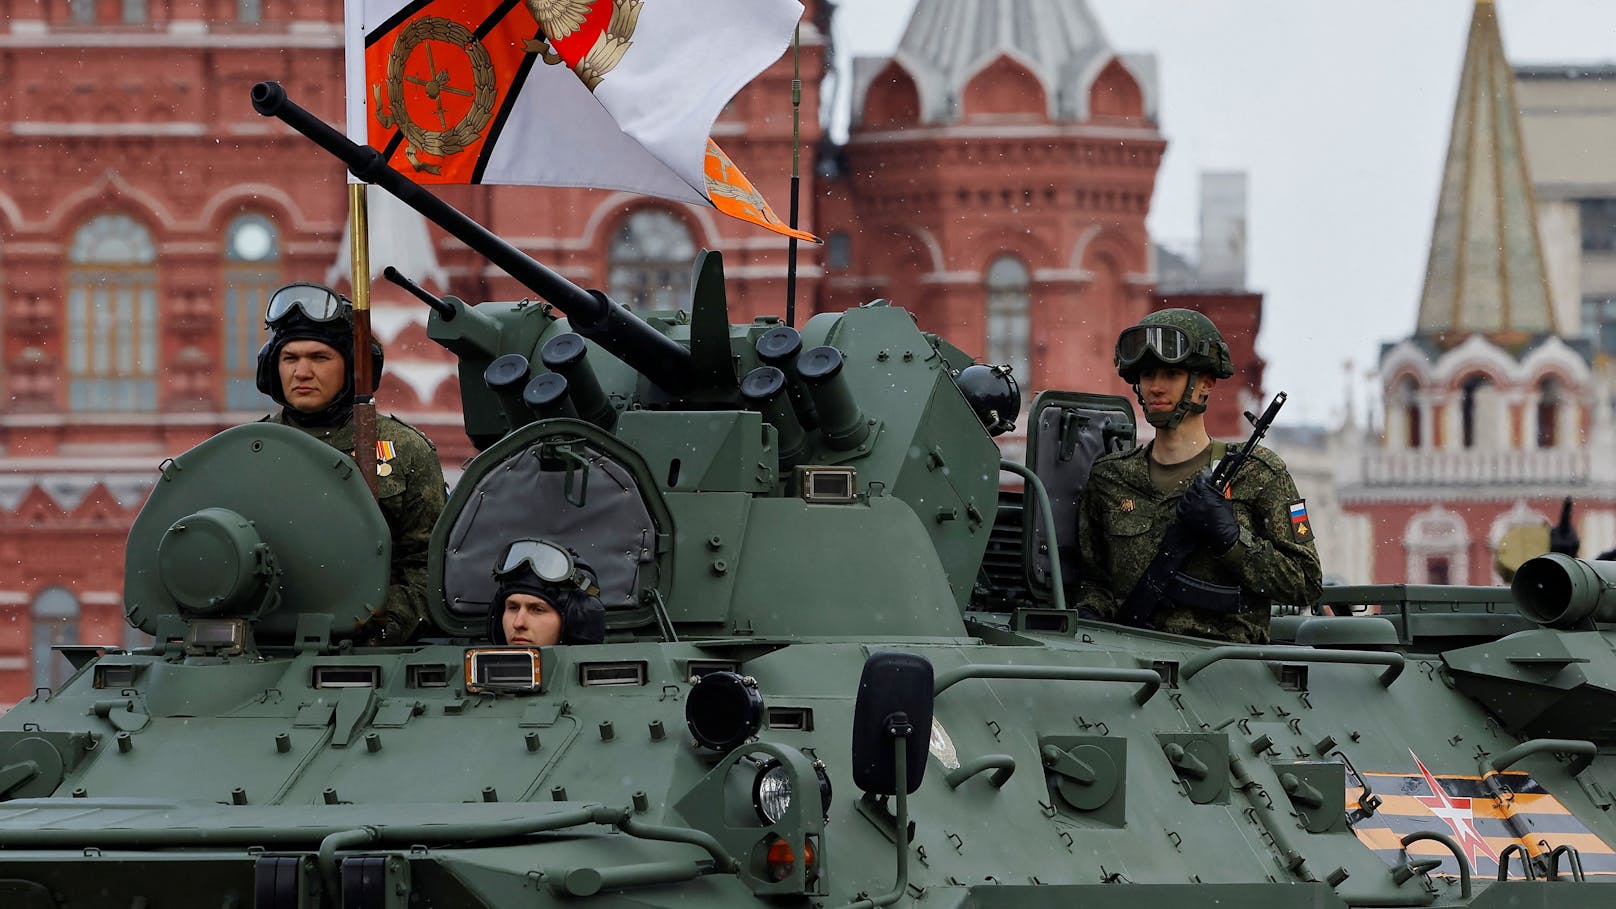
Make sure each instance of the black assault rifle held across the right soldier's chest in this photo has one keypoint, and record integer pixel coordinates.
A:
(1163, 580)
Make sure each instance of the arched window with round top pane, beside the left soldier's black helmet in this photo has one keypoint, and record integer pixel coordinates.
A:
(253, 271)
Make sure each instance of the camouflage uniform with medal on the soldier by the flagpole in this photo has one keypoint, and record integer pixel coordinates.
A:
(411, 499)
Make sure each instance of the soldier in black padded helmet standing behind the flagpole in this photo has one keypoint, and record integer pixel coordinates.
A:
(308, 368)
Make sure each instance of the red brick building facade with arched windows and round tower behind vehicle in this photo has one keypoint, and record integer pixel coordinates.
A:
(996, 190)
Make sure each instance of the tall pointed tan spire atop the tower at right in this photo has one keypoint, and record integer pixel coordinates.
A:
(1486, 271)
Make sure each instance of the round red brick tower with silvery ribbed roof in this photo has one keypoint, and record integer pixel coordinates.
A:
(996, 182)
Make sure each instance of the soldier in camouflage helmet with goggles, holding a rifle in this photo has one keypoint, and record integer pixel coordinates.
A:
(1256, 539)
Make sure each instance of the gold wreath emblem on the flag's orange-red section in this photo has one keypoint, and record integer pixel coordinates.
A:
(393, 111)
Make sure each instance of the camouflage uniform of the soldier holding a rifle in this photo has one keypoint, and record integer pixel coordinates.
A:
(1124, 518)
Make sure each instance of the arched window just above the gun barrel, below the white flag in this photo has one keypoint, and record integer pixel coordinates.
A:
(649, 261)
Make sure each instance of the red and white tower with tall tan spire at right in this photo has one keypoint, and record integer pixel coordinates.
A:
(1492, 412)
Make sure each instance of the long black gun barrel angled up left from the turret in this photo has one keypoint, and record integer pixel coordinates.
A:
(592, 315)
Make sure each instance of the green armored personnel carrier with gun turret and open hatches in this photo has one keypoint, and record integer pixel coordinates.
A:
(838, 667)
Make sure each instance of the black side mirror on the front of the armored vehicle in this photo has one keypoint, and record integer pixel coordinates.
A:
(894, 701)
